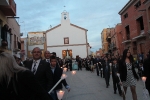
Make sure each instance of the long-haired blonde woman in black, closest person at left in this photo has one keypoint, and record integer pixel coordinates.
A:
(18, 83)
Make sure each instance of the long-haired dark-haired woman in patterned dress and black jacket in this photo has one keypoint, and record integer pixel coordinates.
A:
(127, 72)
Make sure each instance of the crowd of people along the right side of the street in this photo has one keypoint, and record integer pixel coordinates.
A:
(125, 71)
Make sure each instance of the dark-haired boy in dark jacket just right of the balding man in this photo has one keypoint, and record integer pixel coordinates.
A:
(57, 73)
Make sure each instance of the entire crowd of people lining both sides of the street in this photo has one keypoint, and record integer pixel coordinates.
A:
(33, 79)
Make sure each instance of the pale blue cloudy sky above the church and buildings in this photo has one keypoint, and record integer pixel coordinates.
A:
(94, 15)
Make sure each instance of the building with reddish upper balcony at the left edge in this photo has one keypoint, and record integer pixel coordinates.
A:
(9, 26)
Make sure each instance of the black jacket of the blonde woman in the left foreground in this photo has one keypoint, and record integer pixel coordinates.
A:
(26, 86)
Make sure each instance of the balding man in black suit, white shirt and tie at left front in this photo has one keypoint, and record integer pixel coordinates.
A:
(40, 69)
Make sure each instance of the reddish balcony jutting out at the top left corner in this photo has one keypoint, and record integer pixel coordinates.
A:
(8, 7)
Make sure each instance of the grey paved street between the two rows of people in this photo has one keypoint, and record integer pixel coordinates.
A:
(88, 86)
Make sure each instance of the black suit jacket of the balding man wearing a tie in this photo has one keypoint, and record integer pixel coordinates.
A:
(43, 74)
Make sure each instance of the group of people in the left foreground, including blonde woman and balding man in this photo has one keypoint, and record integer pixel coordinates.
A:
(30, 79)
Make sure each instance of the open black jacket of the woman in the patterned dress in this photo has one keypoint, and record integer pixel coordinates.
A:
(123, 71)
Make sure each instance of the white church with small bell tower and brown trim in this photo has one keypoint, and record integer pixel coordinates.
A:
(67, 36)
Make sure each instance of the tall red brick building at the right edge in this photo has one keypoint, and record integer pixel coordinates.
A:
(135, 27)
